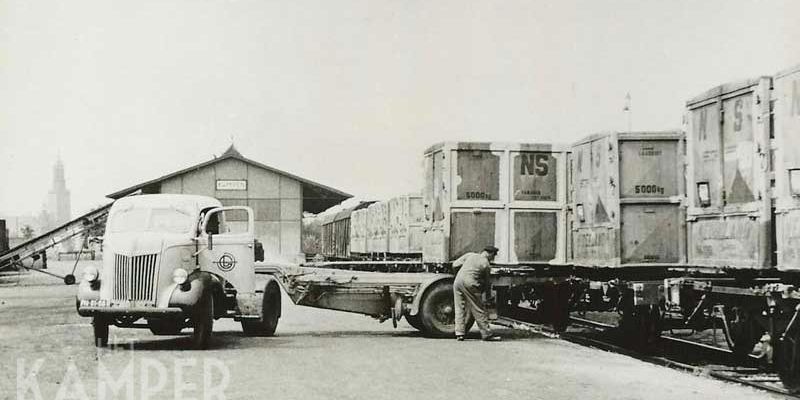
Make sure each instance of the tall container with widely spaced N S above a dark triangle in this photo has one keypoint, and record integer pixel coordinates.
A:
(728, 179)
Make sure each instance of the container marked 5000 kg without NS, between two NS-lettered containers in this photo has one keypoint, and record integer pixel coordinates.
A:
(628, 193)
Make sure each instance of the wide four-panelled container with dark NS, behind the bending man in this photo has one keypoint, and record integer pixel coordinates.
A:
(512, 196)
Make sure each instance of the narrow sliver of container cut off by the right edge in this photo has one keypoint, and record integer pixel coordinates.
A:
(786, 167)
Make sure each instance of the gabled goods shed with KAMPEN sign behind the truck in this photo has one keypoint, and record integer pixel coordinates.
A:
(277, 198)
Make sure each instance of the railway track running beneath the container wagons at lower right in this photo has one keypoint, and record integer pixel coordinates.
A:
(677, 353)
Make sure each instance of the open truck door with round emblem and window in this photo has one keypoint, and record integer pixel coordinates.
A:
(227, 233)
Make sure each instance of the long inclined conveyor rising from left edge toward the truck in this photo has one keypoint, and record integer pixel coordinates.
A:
(36, 246)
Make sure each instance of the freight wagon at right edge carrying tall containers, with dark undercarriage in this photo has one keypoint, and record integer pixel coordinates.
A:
(743, 193)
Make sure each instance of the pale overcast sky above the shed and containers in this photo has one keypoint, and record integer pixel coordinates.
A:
(347, 93)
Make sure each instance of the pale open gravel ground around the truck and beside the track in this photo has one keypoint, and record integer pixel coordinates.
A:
(316, 354)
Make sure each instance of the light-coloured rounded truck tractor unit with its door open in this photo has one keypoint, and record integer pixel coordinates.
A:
(178, 261)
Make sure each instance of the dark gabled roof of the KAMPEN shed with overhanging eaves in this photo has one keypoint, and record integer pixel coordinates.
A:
(321, 197)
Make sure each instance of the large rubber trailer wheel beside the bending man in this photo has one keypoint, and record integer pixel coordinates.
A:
(437, 312)
